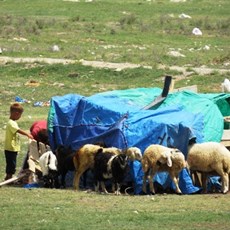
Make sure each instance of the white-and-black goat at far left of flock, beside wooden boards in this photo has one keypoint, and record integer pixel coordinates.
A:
(48, 164)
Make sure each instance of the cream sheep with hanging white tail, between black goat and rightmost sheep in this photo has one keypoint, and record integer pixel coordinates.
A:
(158, 158)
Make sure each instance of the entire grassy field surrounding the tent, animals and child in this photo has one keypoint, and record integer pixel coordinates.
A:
(132, 31)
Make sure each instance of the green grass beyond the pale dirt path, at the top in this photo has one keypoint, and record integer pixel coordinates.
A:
(139, 31)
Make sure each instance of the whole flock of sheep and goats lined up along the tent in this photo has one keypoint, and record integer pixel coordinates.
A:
(209, 158)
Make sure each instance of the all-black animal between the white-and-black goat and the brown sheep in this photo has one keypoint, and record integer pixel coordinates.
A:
(65, 162)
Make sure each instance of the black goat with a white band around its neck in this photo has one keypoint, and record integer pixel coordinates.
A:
(109, 166)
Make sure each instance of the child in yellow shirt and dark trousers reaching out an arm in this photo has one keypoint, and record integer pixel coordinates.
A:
(12, 141)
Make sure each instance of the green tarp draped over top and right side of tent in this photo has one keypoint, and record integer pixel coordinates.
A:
(213, 106)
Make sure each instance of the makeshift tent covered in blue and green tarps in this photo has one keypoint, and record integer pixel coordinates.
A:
(117, 118)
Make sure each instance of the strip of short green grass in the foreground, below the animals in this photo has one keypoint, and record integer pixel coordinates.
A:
(65, 209)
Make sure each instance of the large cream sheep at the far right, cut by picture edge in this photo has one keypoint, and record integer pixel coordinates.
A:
(210, 158)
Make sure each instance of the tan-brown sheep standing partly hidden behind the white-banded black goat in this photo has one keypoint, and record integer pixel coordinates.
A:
(84, 158)
